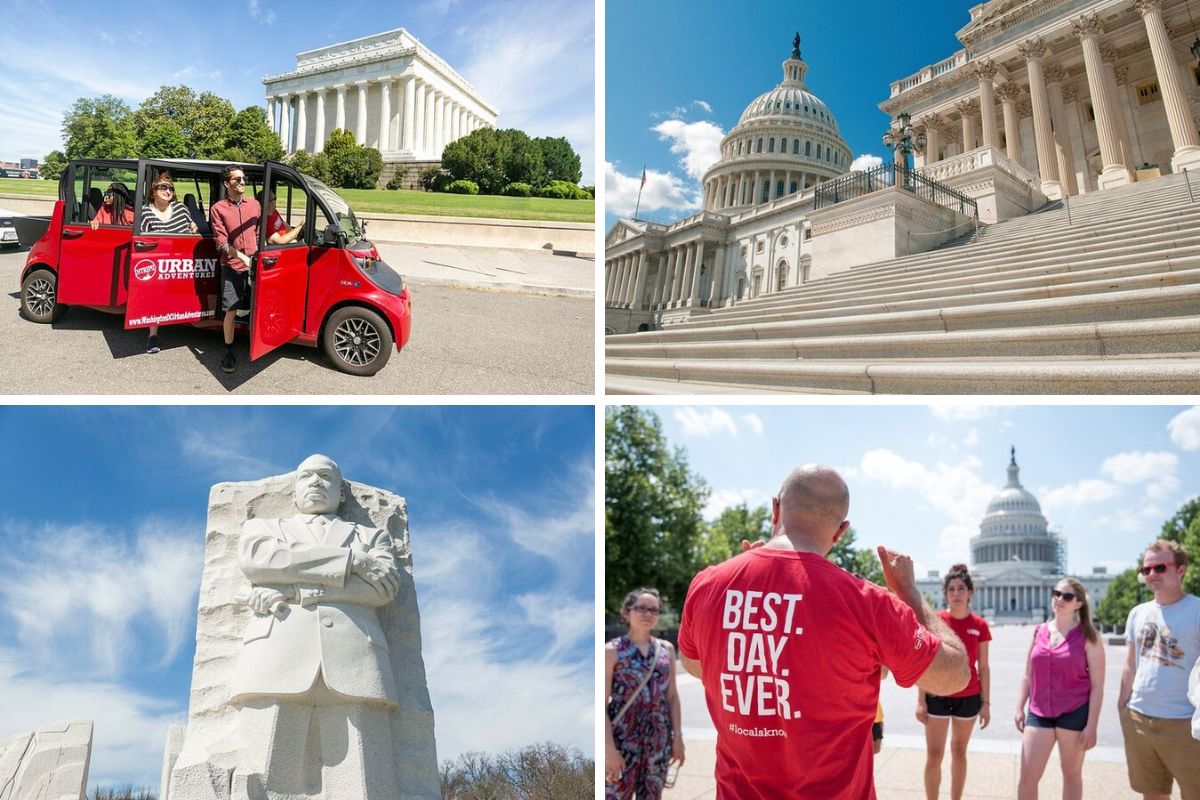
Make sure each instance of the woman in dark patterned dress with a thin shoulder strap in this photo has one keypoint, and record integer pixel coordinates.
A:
(643, 727)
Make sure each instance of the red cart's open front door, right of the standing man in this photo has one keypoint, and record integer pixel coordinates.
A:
(281, 270)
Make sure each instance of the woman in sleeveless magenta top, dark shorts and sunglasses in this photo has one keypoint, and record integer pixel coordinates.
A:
(1064, 684)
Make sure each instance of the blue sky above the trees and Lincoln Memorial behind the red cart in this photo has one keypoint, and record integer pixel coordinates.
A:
(532, 59)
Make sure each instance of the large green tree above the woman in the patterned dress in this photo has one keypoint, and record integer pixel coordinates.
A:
(652, 509)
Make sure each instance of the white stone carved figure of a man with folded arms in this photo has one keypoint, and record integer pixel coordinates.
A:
(314, 684)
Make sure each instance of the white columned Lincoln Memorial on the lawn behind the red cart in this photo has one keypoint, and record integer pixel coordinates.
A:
(389, 91)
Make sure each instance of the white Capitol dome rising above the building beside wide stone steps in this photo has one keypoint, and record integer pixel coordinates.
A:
(785, 143)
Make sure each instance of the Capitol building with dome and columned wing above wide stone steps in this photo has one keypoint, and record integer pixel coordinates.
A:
(1048, 99)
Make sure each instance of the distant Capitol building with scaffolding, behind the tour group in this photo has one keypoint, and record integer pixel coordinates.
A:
(1016, 561)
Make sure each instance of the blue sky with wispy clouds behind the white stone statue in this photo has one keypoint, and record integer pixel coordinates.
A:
(103, 518)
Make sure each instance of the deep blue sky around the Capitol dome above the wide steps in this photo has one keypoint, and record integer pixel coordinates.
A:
(679, 76)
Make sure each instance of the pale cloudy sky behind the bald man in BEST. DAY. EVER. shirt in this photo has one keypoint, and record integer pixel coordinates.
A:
(921, 478)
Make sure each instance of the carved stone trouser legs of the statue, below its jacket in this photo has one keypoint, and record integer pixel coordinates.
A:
(319, 745)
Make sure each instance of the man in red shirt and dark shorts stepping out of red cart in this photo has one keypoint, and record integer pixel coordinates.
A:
(236, 219)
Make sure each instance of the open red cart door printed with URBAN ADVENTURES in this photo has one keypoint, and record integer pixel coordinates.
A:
(173, 278)
